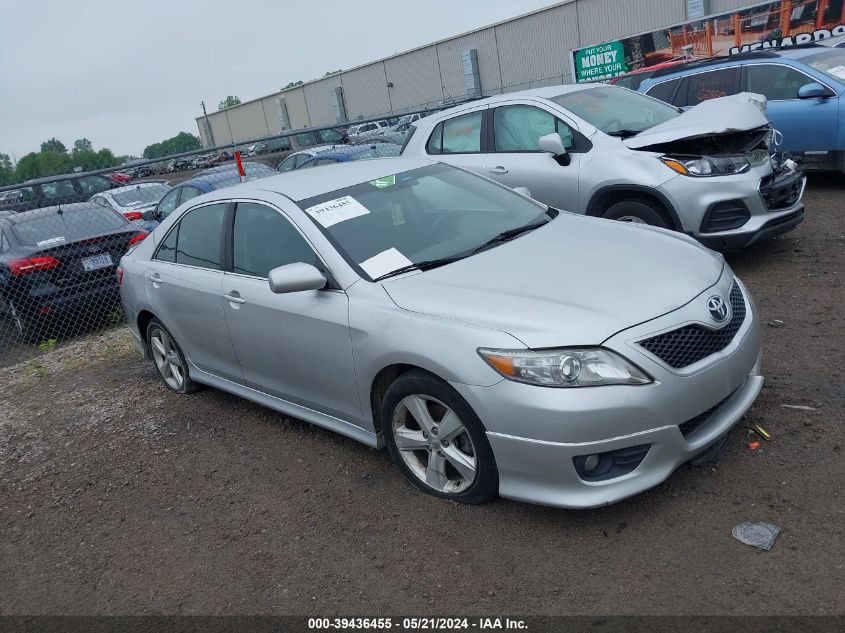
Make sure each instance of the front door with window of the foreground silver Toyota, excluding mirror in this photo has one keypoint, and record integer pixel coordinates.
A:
(295, 346)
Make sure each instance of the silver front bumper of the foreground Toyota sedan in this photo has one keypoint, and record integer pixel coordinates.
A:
(542, 438)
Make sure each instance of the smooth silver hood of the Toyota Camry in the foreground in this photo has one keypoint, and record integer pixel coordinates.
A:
(574, 281)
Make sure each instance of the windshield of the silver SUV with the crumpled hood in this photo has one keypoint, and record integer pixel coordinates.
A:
(616, 110)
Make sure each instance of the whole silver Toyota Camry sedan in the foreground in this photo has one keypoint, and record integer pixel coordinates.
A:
(494, 345)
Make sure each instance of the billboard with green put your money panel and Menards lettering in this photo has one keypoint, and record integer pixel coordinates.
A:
(758, 27)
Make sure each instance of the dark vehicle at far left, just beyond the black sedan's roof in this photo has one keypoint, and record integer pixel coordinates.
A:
(45, 192)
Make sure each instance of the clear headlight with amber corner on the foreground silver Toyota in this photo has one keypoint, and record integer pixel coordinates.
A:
(582, 367)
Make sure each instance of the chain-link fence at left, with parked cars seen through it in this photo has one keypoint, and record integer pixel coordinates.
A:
(62, 237)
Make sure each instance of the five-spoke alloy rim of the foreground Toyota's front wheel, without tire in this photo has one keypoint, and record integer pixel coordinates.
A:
(434, 444)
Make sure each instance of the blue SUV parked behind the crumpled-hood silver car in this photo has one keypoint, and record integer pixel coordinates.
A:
(804, 87)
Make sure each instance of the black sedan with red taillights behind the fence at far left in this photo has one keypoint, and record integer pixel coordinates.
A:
(61, 260)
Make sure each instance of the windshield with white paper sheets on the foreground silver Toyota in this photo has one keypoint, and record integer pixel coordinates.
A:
(420, 216)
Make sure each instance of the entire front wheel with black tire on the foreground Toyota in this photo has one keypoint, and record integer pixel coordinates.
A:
(437, 441)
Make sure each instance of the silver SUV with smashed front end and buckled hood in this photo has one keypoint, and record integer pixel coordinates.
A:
(606, 151)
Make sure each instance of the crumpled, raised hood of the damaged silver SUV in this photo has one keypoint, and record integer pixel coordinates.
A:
(724, 116)
